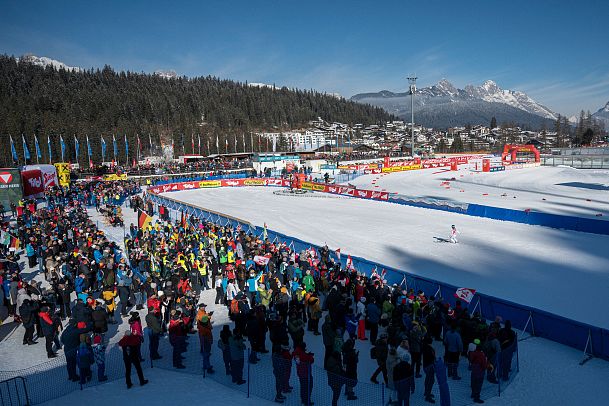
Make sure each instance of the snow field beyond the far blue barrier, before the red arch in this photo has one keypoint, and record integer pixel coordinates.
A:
(558, 190)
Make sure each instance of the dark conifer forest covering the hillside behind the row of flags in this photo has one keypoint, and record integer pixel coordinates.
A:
(45, 102)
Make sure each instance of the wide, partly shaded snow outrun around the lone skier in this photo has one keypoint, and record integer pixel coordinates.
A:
(563, 272)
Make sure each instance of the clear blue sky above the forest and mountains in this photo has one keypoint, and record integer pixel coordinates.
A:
(555, 51)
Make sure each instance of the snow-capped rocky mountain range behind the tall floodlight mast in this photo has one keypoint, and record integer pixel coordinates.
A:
(443, 104)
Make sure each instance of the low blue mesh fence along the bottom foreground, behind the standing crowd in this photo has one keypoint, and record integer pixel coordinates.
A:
(49, 380)
